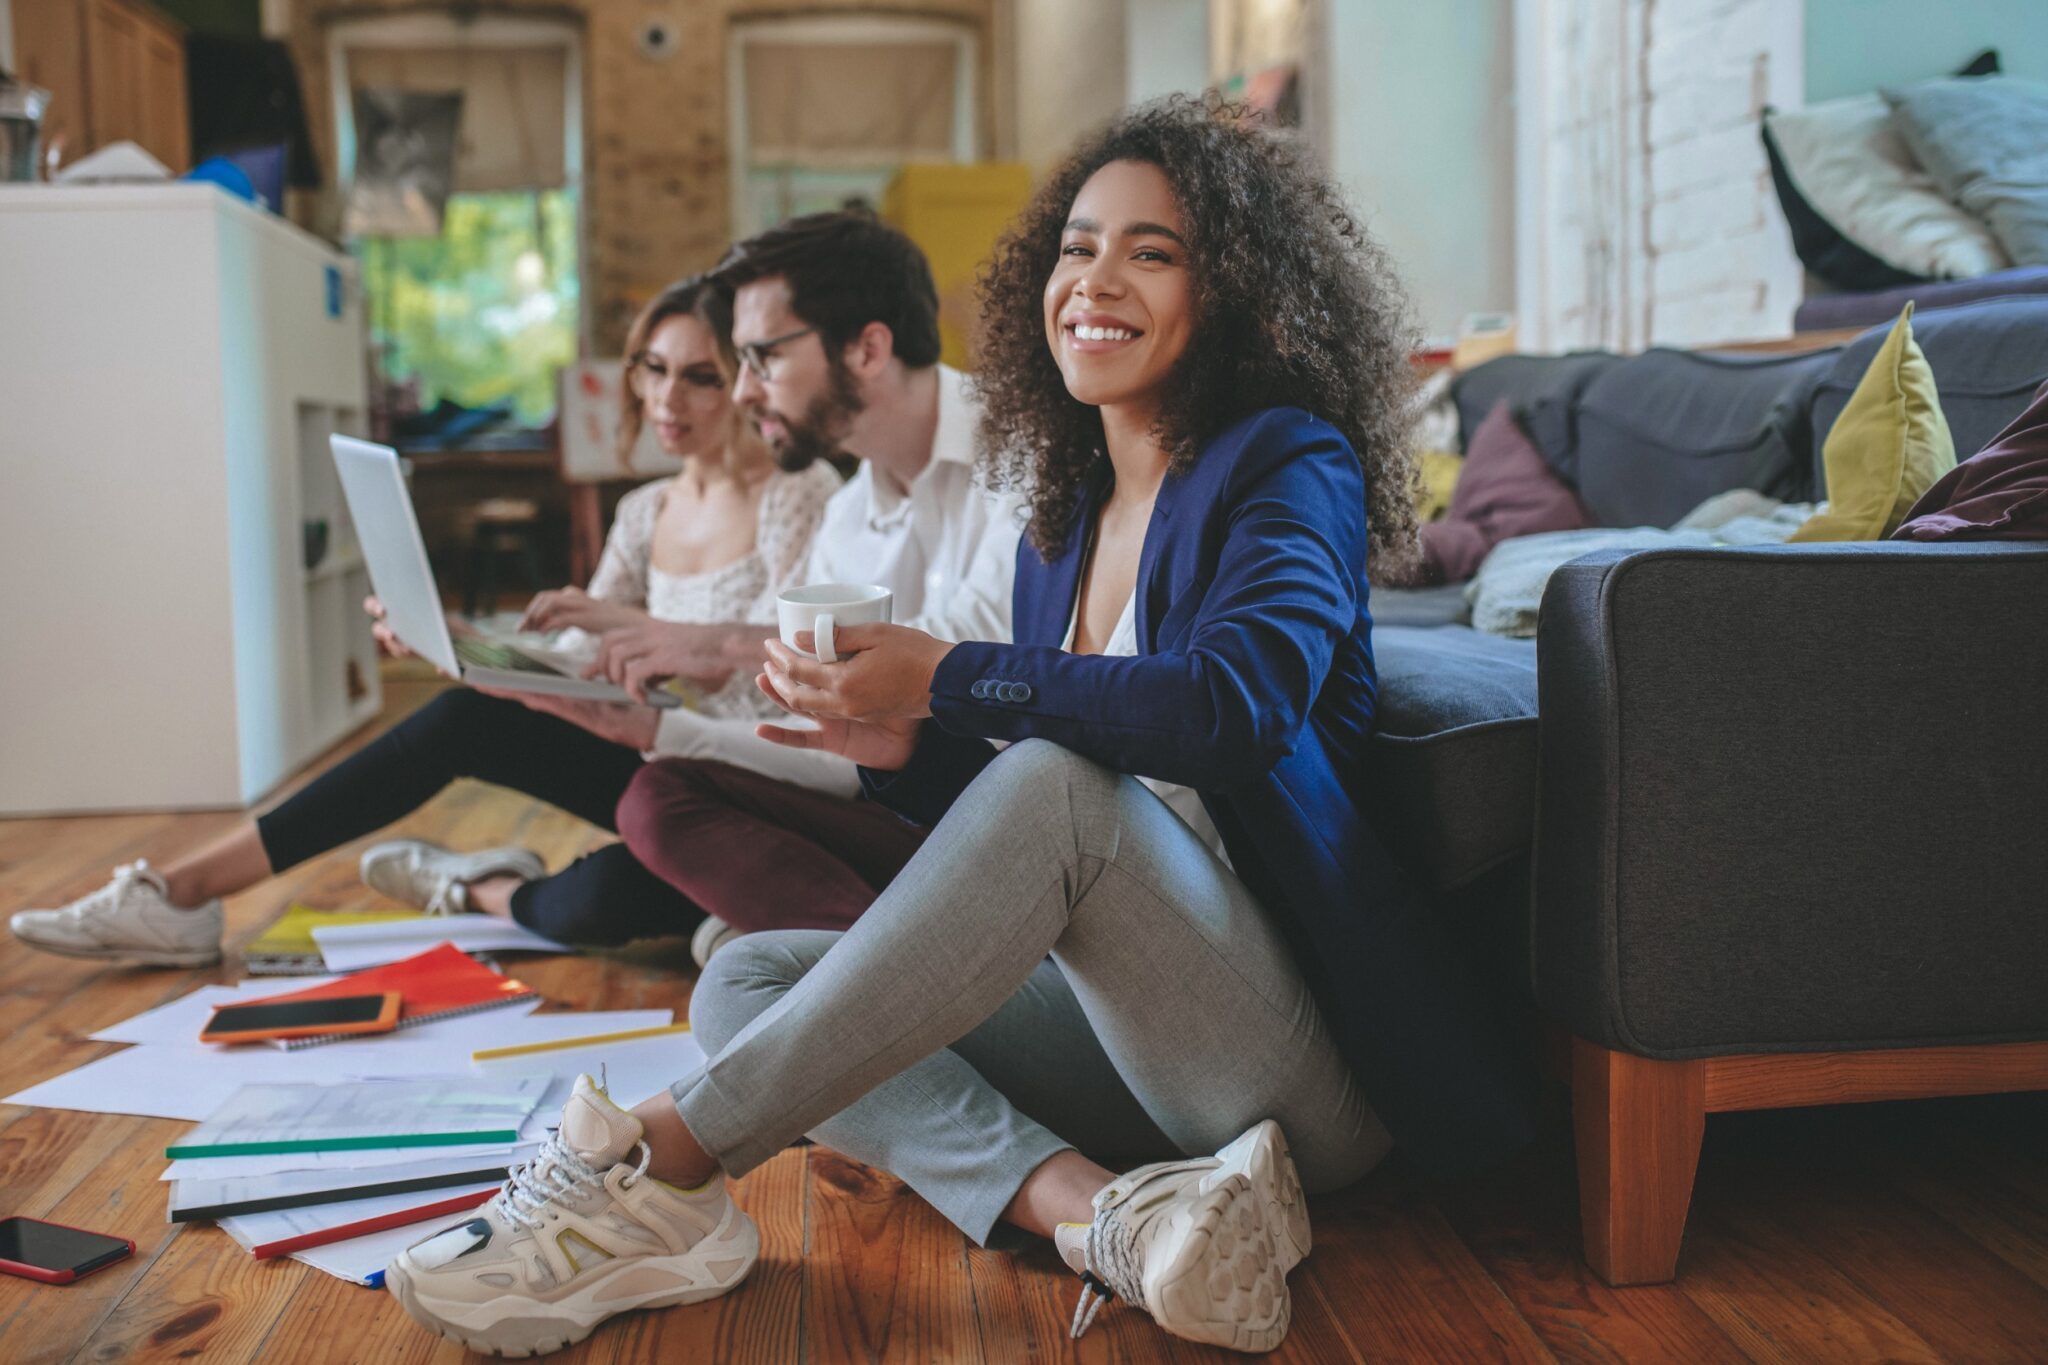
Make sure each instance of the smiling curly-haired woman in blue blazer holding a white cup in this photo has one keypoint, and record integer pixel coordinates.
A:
(1156, 928)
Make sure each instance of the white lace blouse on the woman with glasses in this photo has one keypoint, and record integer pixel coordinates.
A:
(742, 590)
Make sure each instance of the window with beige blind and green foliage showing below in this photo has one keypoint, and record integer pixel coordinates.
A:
(470, 328)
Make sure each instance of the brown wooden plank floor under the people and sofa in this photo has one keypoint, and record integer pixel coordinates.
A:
(1902, 1233)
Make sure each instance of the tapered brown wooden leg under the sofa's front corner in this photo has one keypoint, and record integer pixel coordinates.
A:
(1637, 1127)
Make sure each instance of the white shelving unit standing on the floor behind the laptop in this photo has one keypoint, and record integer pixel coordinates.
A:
(173, 363)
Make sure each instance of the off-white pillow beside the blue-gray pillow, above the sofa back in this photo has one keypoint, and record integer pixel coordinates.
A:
(1857, 171)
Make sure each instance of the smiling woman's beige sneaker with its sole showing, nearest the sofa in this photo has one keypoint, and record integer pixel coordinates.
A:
(1203, 1245)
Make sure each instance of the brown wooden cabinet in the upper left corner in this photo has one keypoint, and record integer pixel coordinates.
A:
(116, 71)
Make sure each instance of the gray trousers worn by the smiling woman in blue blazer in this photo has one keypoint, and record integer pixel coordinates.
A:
(939, 1043)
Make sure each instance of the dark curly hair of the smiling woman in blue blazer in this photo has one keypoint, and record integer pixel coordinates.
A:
(1295, 308)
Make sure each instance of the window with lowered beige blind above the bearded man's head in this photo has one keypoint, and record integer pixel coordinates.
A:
(824, 112)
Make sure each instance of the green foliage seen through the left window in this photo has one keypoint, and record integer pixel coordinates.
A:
(488, 310)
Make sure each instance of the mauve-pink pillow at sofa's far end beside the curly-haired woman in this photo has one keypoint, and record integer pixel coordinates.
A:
(1504, 490)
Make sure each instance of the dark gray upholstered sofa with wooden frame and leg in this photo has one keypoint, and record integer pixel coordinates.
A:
(1748, 828)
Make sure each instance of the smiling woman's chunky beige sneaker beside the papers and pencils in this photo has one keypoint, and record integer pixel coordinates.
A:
(572, 1239)
